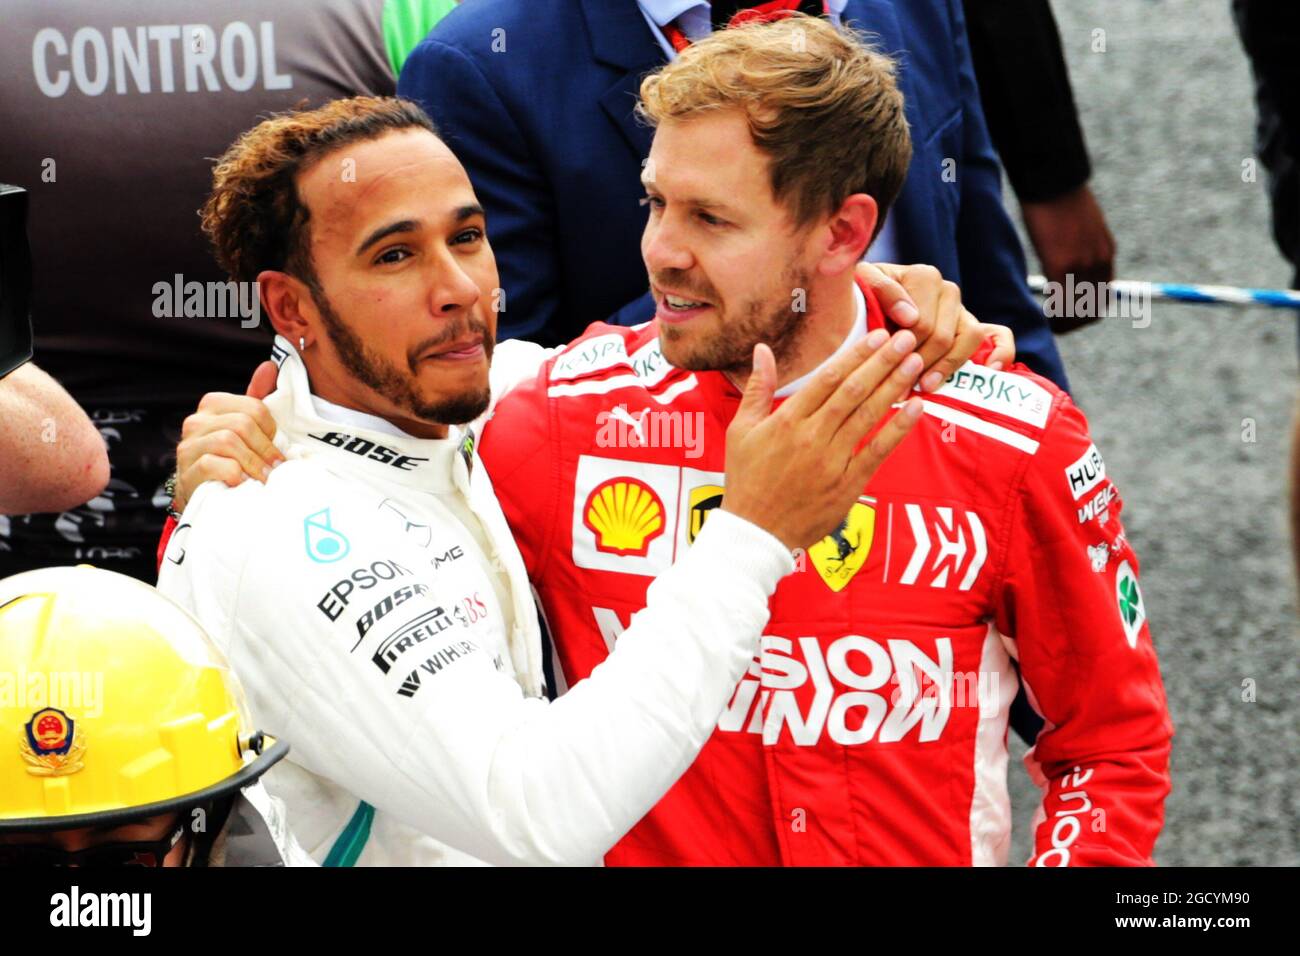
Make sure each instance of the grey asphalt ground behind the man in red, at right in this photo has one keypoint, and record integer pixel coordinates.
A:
(1194, 418)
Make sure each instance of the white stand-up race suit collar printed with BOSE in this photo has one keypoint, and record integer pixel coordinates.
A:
(359, 443)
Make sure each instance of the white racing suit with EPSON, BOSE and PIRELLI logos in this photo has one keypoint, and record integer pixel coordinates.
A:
(376, 609)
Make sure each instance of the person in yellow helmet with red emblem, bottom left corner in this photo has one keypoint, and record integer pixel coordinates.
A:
(131, 737)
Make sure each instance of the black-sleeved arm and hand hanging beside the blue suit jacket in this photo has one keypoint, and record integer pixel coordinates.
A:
(1025, 89)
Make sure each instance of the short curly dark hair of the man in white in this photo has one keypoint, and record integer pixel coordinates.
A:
(254, 215)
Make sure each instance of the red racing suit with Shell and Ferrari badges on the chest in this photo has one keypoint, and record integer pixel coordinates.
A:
(872, 730)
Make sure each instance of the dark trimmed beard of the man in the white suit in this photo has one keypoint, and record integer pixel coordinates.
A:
(398, 386)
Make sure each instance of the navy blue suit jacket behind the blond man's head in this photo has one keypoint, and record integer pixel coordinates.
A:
(536, 100)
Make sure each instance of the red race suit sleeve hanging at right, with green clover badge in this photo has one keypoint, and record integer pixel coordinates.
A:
(1072, 603)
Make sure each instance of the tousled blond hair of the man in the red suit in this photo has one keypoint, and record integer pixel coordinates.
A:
(821, 103)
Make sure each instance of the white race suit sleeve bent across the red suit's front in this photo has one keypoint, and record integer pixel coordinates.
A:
(466, 758)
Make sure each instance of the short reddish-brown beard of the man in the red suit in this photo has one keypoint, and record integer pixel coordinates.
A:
(731, 348)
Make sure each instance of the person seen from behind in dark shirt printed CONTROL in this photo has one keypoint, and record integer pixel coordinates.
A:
(110, 114)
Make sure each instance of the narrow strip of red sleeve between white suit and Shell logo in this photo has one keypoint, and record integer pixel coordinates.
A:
(515, 447)
